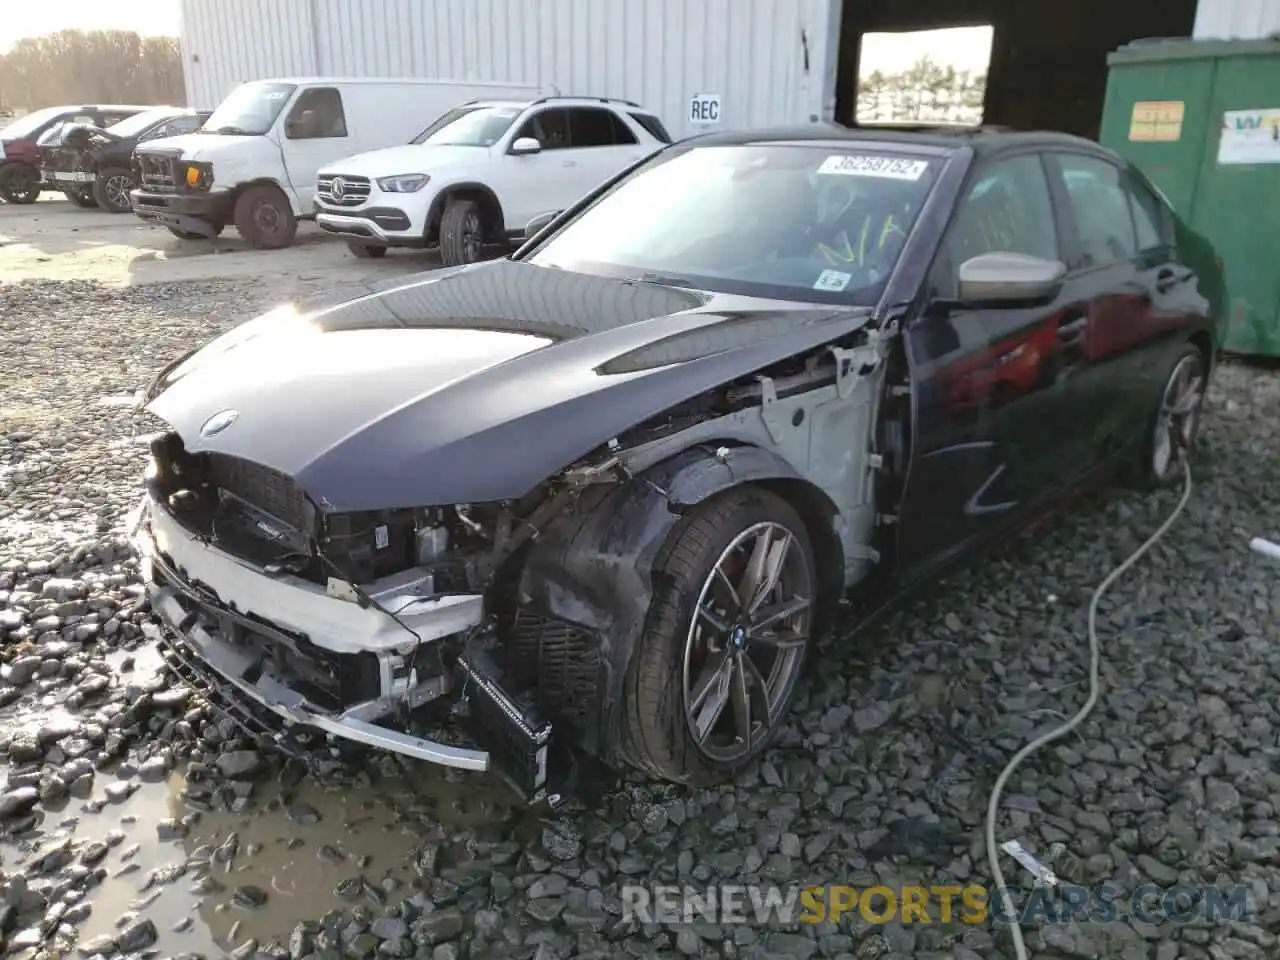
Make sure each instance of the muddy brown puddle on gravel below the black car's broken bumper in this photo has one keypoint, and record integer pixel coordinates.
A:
(295, 862)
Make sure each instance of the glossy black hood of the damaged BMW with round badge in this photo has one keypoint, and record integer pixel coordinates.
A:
(474, 385)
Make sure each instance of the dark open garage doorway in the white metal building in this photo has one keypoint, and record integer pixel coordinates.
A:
(1048, 65)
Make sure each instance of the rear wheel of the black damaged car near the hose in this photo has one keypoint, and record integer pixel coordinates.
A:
(1174, 423)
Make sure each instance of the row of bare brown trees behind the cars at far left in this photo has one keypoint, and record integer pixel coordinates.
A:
(107, 67)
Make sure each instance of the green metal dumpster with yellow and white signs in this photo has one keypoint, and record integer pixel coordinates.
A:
(1201, 118)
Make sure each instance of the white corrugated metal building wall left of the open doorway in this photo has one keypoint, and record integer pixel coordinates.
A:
(771, 61)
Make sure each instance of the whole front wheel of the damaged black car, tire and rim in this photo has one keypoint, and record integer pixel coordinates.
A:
(714, 676)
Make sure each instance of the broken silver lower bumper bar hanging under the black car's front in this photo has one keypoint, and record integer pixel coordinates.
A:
(202, 633)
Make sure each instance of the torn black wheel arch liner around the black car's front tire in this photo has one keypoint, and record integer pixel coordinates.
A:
(596, 568)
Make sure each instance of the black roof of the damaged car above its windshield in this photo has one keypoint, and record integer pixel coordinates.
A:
(925, 139)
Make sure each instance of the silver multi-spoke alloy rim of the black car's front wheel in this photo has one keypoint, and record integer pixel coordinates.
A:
(747, 642)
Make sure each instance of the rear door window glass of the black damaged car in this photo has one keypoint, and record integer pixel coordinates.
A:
(1101, 207)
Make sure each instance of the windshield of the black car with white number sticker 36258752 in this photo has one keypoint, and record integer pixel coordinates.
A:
(806, 223)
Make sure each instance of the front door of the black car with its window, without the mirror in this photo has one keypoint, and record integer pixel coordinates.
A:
(993, 422)
